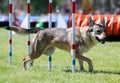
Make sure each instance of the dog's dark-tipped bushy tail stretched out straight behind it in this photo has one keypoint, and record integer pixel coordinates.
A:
(23, 31)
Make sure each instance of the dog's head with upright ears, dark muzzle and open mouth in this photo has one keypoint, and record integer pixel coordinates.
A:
(98, 30)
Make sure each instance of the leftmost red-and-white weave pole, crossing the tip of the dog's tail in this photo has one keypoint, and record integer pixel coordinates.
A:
(10, 33)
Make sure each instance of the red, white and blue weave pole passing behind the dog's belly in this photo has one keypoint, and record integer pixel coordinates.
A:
(50, 25)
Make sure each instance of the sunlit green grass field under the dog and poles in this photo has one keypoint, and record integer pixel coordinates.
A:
(106, 62)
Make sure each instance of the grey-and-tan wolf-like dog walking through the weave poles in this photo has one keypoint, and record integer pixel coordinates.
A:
(46, 40)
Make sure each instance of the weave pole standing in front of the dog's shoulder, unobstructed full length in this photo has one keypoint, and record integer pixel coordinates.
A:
(73, 47)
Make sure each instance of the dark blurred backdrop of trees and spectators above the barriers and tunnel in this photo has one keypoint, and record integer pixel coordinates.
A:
(39, 7)
